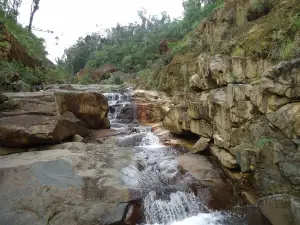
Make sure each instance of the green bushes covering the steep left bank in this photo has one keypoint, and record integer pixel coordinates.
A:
(34, 47)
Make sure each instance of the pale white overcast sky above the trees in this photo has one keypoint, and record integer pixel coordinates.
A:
(70, 19)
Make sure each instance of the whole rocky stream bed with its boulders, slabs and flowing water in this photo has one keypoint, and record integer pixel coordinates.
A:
(79, 157)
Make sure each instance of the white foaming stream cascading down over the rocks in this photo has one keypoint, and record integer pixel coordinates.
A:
(167, 196)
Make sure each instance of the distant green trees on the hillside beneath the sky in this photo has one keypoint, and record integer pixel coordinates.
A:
(134, 47)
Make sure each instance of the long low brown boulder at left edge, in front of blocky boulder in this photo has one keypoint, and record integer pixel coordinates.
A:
(27, 130)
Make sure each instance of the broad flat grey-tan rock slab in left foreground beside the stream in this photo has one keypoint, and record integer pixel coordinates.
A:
(75, 183)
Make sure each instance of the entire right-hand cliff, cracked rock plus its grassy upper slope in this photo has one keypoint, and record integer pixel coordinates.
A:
(238, 89)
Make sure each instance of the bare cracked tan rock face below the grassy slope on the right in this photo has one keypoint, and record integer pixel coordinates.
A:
(253, 123)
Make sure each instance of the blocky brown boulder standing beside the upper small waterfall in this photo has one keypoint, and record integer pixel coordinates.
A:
(92, 108)
